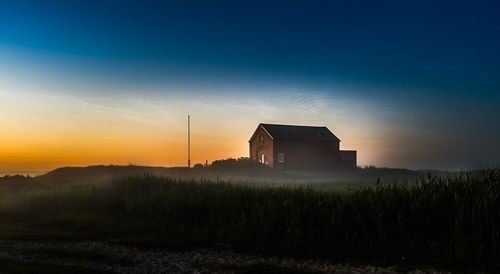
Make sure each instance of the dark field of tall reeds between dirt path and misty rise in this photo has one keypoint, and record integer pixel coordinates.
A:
(451, 221)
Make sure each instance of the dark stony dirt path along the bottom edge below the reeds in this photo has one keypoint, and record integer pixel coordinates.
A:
(107, 258)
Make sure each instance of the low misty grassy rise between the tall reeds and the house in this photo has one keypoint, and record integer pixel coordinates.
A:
(227, 170)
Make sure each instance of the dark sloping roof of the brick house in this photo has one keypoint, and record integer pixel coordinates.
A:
(304, 133)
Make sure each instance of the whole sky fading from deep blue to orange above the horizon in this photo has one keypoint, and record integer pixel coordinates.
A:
(412, 84)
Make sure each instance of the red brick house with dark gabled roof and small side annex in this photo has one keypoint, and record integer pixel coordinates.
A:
(299, 147)
